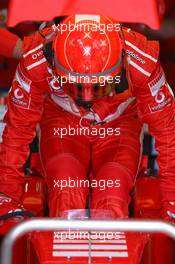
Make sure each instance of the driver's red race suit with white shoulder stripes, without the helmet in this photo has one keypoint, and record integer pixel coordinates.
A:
(70, 156)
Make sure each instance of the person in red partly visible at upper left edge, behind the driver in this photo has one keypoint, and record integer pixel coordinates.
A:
(11, 44)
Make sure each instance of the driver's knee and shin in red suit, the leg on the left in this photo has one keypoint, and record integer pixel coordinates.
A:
(64, 175)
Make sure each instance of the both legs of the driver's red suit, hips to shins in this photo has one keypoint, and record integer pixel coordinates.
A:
(108, 163)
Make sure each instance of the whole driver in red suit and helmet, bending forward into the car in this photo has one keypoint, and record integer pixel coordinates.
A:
(91, 89)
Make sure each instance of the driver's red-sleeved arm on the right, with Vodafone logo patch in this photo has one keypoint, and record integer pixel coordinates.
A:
(156, 107)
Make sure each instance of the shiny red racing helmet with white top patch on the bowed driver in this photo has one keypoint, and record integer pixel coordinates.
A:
(88, 56)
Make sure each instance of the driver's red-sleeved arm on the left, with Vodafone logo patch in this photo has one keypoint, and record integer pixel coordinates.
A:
(25, 103)
